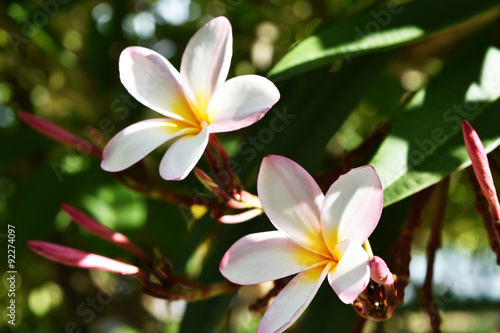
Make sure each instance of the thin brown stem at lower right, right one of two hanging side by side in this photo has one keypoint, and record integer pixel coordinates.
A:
(434, 243)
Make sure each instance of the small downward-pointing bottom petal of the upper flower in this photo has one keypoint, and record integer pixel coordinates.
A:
(183, 155)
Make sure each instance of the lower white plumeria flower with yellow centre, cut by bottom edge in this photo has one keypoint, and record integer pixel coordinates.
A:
(318, 236)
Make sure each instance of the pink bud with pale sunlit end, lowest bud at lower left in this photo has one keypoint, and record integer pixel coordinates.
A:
(73, 257)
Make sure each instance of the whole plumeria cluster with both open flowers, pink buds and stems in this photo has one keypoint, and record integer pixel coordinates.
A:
(319, 236)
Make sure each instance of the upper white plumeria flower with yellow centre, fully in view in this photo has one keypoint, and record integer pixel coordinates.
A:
(196, 102)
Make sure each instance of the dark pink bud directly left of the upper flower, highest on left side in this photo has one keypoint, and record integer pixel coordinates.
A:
(59, 134)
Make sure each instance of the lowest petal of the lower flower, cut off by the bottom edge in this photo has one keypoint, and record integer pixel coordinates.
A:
(293, 300)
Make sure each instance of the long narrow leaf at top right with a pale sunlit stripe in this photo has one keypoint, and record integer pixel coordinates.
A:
(376, 30)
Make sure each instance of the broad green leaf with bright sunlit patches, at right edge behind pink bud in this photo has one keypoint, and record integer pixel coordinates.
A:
(425, 143)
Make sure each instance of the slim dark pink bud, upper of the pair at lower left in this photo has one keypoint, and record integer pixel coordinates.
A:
(103, 232)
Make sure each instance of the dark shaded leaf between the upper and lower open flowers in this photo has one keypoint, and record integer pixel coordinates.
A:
(312, 109)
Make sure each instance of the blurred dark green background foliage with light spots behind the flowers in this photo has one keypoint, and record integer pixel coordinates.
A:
(59, 60)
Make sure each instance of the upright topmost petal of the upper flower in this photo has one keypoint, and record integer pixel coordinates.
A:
(205, 62)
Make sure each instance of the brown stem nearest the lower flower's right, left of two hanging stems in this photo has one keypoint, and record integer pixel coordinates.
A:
(404, 243)
